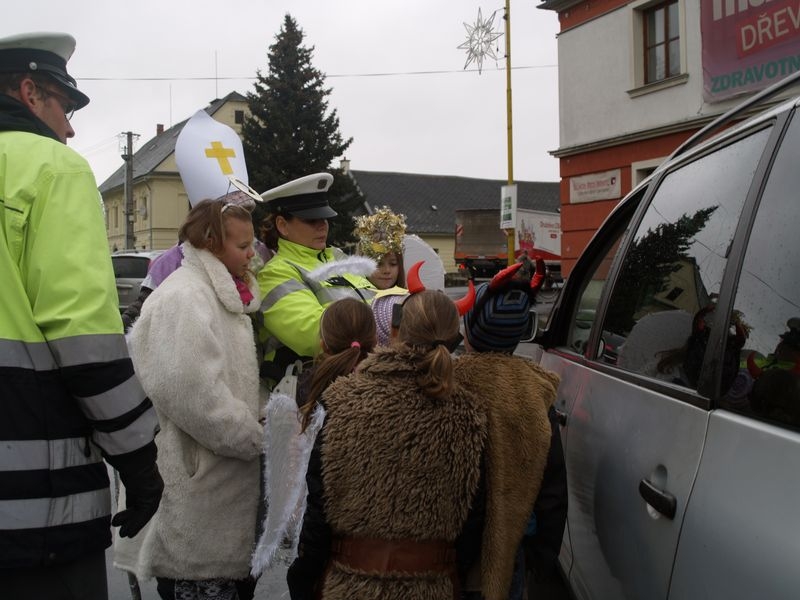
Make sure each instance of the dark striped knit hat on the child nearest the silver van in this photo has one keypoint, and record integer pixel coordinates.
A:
(497, 323)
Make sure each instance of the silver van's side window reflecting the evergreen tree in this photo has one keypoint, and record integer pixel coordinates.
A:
(660, 309)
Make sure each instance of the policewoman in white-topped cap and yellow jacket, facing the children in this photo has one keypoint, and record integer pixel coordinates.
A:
(294, 299)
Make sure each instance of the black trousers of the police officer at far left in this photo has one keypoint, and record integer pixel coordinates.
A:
(83, 579)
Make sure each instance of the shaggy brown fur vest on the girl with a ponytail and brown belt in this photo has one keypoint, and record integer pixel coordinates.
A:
(397, 465)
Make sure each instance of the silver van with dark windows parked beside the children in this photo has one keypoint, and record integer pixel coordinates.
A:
(677, 339)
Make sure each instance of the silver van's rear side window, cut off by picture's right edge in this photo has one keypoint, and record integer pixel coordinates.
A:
(767, 300)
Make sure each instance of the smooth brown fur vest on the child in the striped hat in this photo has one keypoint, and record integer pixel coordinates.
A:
(516, 394)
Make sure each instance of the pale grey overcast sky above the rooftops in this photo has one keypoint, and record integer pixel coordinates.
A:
(447, 122)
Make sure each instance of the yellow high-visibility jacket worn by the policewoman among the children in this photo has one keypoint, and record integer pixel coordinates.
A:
(292, 303)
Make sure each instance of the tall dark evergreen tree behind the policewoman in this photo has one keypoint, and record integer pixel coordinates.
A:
(291, 132)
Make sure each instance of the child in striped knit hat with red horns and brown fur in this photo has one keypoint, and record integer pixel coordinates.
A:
(525, 475)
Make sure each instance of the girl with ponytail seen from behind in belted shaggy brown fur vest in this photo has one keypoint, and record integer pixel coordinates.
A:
(394, 471)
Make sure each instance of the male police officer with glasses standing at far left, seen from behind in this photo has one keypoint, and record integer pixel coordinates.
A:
(68, 393)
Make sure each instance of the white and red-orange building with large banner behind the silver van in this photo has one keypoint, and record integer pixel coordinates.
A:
(636, 78)
